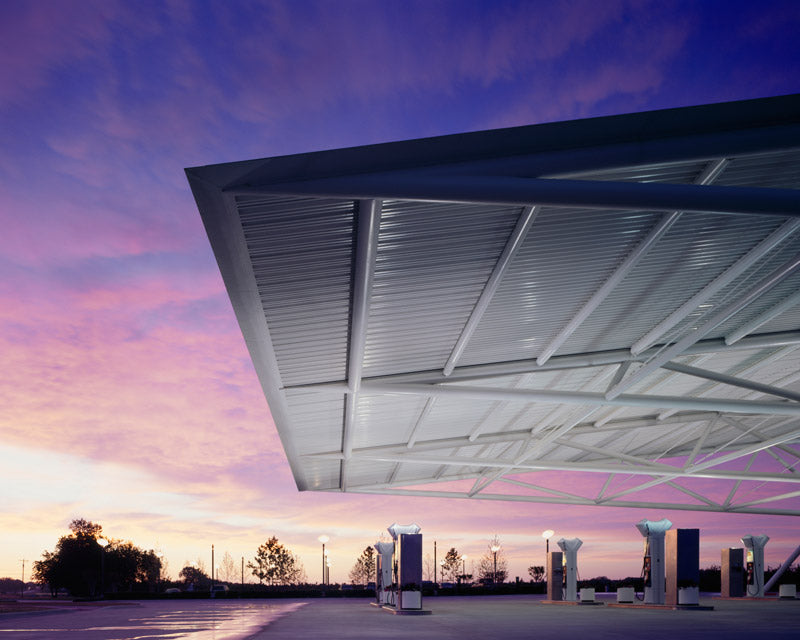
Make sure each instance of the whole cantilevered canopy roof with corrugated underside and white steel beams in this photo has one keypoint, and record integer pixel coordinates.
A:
(597, 312)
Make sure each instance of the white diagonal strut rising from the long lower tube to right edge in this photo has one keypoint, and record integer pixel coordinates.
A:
(764, 285)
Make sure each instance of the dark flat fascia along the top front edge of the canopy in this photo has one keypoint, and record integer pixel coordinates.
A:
(557, 137)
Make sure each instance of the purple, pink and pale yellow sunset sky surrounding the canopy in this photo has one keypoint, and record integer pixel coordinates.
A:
(127, 396)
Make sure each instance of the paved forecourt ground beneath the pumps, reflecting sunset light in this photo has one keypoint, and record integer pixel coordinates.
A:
(506, 617)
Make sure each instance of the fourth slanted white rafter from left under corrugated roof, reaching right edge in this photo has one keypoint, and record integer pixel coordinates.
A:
(720, 282)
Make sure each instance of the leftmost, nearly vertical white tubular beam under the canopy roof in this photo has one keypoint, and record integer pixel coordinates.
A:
(369, 217)
